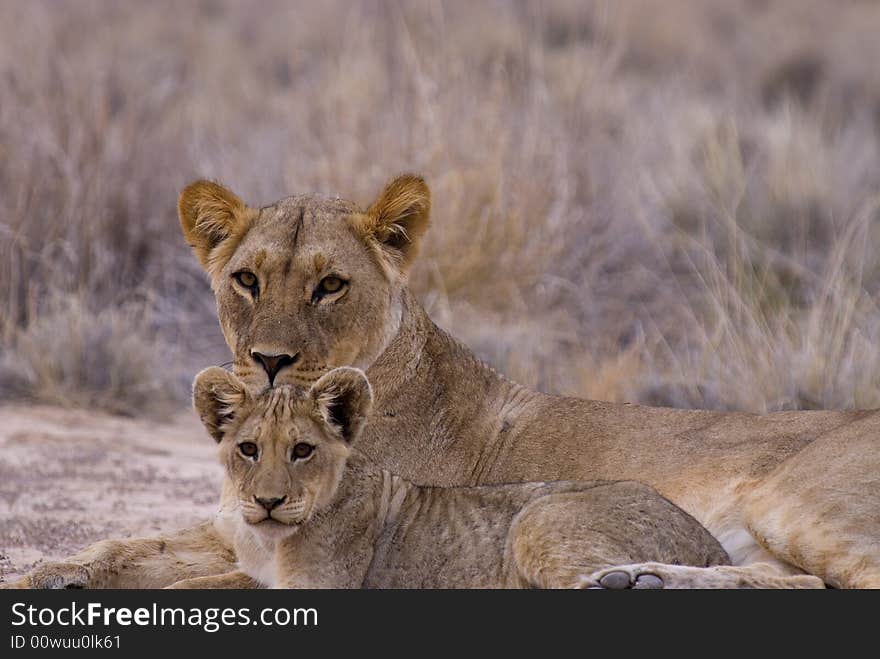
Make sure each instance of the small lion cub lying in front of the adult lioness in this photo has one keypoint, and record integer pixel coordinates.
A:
(315, 513)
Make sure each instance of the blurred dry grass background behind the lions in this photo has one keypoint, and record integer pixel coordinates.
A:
(671, 202)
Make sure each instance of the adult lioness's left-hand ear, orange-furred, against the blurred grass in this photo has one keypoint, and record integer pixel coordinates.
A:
(209, 215)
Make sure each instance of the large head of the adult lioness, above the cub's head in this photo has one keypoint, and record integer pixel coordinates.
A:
(309, 282)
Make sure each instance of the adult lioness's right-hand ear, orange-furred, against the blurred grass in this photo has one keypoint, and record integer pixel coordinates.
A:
(395, 223)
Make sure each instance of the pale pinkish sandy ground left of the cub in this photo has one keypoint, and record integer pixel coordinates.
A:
(71, 477)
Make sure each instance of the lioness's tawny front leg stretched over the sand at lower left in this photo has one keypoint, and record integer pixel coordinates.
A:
(138, 562)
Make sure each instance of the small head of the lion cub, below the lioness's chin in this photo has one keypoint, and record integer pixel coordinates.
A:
(284, 450)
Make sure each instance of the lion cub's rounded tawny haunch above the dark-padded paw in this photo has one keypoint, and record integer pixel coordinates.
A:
(561, 540)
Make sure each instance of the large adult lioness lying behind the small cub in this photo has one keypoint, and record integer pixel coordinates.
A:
(309, 283)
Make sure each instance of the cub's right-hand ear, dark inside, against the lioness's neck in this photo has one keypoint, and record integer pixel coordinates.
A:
(343, 398)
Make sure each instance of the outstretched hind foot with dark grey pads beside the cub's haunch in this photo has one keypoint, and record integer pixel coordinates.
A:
(659, 575)
